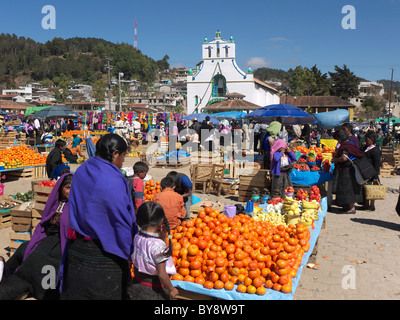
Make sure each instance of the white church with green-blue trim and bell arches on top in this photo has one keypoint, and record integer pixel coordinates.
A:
(217, 75)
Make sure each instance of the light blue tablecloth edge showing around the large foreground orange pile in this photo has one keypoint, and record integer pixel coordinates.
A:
(271, 294)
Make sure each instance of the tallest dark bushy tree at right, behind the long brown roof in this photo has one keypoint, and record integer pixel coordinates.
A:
(344, 83)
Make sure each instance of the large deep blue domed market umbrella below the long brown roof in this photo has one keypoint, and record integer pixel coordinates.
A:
(284, 113)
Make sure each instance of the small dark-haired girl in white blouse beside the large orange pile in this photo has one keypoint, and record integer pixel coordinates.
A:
(151, 256)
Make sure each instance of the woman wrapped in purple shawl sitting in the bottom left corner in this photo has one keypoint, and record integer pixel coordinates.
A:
(23, 272)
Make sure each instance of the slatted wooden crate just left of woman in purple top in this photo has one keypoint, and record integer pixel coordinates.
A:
(260, 179)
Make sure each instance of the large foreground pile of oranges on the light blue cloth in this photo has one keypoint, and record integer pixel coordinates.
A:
(219, 252)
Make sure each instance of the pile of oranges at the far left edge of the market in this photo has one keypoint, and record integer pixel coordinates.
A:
(21, 156)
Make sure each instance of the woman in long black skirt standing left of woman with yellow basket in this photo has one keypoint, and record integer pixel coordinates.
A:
(348, 191)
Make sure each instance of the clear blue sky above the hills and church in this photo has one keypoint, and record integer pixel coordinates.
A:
(275, 34)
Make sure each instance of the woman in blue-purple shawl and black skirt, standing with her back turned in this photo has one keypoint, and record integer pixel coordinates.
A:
(102, 219)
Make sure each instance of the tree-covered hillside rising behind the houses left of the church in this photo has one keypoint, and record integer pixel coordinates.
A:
(77, 59)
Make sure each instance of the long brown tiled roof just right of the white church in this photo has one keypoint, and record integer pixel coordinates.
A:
(317, 101)
